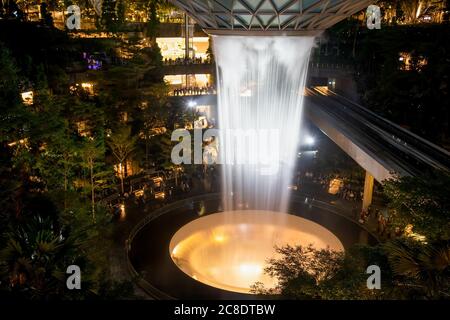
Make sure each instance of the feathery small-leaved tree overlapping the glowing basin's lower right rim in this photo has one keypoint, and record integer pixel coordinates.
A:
(303, 272)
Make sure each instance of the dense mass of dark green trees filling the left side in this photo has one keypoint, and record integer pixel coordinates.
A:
(56, 165)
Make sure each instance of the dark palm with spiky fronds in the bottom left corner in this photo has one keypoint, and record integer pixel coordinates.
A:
(35, 258)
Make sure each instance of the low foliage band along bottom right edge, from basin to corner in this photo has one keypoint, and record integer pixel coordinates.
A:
(409, 270)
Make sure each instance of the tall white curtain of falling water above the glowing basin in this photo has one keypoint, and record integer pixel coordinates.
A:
(260, 96)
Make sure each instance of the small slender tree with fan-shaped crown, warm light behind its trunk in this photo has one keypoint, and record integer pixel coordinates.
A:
(122, 143)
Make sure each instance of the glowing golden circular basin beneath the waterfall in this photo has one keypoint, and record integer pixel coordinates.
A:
(229, 250)
